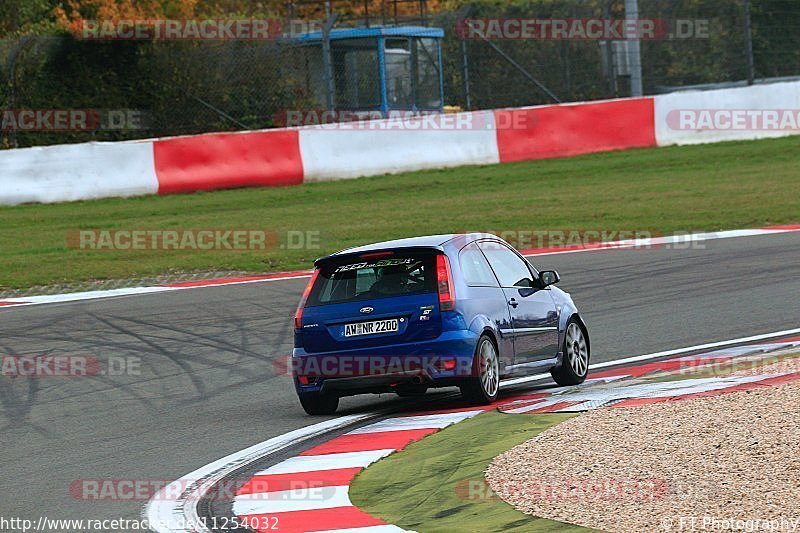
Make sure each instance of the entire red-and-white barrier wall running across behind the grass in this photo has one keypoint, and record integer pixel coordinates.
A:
(349, 150)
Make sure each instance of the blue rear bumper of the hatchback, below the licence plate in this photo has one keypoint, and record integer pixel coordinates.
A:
(437, 362)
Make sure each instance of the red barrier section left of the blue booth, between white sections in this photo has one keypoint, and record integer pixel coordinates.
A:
(228, 160)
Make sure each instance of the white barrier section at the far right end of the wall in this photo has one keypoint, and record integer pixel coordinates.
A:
(755, 112)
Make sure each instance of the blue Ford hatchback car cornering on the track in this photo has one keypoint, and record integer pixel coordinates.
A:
(403, 316)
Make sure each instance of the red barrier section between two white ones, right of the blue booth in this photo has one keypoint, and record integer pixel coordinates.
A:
(565, 130)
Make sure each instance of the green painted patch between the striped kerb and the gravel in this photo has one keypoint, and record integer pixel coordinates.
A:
(437, 484)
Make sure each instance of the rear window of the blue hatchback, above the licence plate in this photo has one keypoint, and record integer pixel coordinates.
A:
(368, 279)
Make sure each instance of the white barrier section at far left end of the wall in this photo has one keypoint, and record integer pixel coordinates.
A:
(70, 172)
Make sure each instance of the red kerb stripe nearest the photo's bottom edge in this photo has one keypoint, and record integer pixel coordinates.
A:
(315, 520)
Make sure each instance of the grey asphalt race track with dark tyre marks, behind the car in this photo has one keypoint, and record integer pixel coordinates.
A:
(210, 379)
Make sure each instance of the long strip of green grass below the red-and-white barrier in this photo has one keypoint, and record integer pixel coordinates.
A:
(721, 186)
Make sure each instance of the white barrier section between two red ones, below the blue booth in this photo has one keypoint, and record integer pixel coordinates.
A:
(351, 150)
